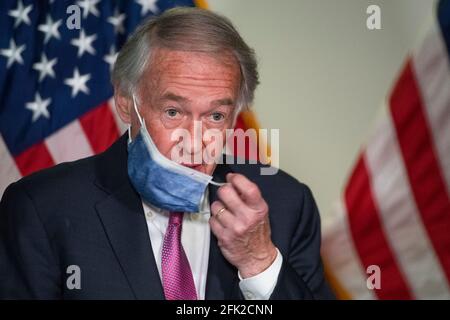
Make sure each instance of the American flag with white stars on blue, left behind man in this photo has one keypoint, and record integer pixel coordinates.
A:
(55, 91)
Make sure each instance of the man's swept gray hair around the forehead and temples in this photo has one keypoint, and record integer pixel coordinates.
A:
(185, 29)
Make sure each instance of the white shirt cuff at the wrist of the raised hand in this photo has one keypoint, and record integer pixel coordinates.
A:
(261, 286)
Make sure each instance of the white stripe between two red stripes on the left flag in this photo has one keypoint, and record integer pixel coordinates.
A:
(69, 143)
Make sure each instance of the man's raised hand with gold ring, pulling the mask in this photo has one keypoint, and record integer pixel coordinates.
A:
(240, 221)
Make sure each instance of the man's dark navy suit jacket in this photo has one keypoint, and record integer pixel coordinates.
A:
(86, 213)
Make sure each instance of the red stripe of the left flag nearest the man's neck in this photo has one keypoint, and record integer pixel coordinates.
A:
(100, 127)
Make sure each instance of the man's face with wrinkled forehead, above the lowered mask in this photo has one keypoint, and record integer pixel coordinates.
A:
(191, 91)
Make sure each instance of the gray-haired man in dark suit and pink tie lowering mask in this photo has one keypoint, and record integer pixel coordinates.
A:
(130, 223)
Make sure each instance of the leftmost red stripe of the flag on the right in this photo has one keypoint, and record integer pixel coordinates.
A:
(368, 235)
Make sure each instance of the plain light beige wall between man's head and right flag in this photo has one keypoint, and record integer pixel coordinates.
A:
(324, 76)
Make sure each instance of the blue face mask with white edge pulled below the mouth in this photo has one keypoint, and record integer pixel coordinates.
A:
(161, 182)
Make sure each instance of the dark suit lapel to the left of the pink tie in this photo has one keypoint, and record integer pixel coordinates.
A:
(123, 219)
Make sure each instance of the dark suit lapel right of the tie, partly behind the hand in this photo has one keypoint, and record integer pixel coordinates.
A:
(222, 281)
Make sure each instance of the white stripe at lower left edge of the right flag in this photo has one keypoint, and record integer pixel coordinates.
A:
(341, 258)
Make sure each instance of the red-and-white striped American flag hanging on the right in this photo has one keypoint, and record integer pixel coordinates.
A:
(395, 208)
